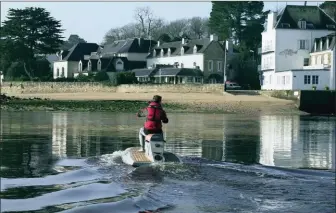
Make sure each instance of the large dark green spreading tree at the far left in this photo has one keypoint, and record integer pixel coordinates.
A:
(27, 33)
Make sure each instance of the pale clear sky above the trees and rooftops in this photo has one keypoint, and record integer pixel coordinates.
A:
(92, 20)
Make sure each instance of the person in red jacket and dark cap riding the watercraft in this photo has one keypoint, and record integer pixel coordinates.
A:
(155, 115)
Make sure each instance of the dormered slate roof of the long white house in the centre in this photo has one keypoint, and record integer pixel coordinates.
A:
(175, 47)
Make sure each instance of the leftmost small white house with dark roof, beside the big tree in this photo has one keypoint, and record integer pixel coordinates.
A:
(67, 64)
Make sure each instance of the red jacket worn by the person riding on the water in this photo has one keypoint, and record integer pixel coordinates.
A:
(155, 115)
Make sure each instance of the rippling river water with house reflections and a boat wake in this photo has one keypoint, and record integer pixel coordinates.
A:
(70, 162)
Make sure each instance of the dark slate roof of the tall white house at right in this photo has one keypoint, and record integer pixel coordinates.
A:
(315, 17)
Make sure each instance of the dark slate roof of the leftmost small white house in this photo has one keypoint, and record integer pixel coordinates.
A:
(77, 52)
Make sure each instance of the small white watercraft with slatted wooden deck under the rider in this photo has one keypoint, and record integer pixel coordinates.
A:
(154, 151)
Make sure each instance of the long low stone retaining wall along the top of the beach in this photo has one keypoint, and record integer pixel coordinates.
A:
(74, 87)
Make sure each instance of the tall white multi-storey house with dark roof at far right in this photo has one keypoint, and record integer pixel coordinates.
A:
(287, 42)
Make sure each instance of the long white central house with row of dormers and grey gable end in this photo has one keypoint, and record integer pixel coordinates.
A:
(207, 55)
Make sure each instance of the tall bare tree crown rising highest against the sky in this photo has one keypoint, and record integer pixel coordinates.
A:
(146, 22)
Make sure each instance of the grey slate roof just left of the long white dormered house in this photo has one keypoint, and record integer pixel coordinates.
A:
(128, 46)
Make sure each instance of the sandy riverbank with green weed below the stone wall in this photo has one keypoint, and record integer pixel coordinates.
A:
(131, 102)
